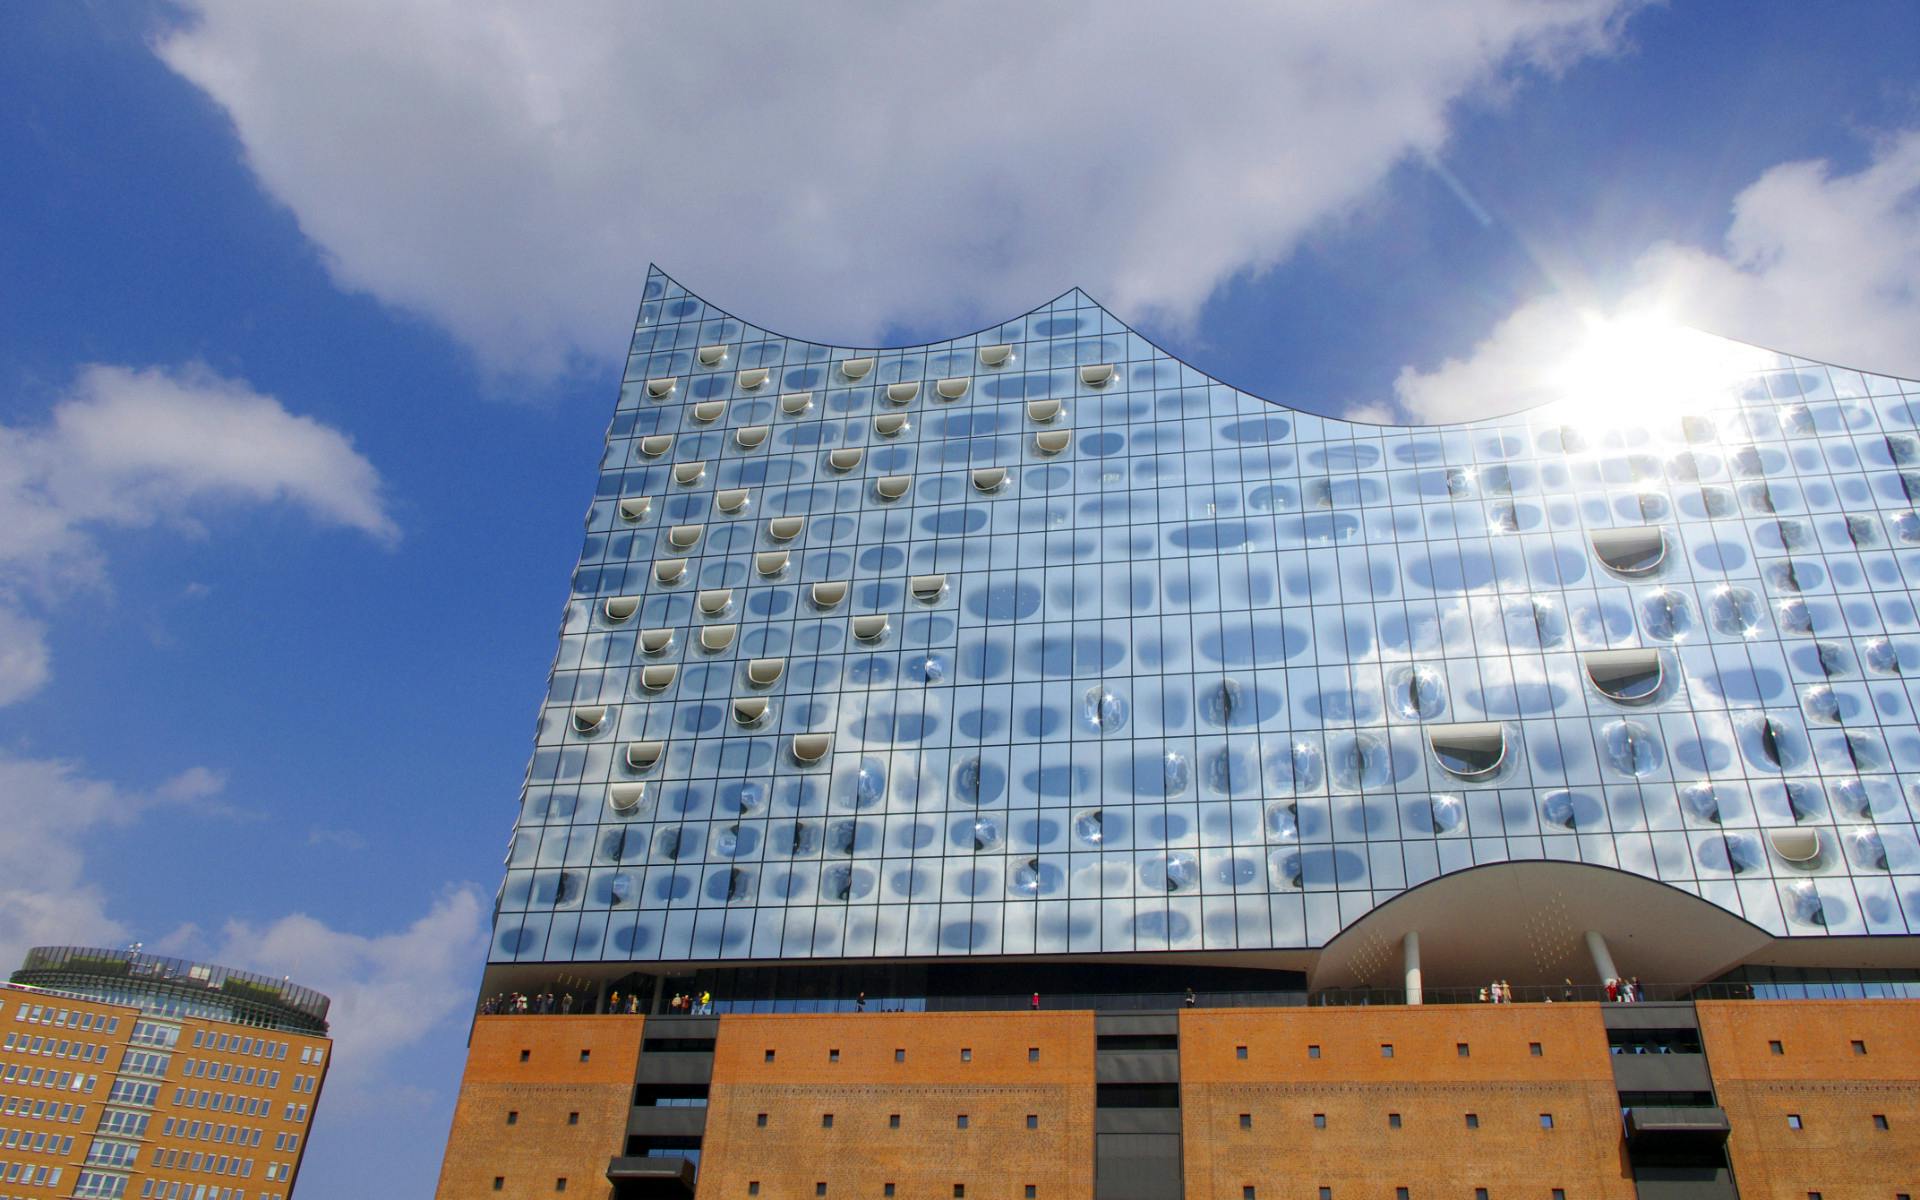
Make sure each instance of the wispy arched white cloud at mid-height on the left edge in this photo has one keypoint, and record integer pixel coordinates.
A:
(132, 448)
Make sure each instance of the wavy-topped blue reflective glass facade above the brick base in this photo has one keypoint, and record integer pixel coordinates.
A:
(1044, 642)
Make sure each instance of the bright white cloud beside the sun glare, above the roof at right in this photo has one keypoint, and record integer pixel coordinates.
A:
(1815, 264)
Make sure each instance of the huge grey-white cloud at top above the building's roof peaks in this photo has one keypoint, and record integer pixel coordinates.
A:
(508, 170)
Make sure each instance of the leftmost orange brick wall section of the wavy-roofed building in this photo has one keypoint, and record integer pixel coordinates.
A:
(542, 1145)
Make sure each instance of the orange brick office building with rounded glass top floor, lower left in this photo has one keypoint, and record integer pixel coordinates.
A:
(128, 1074)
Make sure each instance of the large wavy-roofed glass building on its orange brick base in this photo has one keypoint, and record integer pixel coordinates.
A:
(1055, 773)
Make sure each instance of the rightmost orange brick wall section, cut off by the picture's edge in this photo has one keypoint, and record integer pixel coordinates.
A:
(1829, 1086)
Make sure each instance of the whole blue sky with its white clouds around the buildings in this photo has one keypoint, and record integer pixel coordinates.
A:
(312, 320)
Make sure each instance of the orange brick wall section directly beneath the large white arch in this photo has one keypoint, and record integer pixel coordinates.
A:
(1426, 1082)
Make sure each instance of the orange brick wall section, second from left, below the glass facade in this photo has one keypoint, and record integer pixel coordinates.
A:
(996, 1157)
